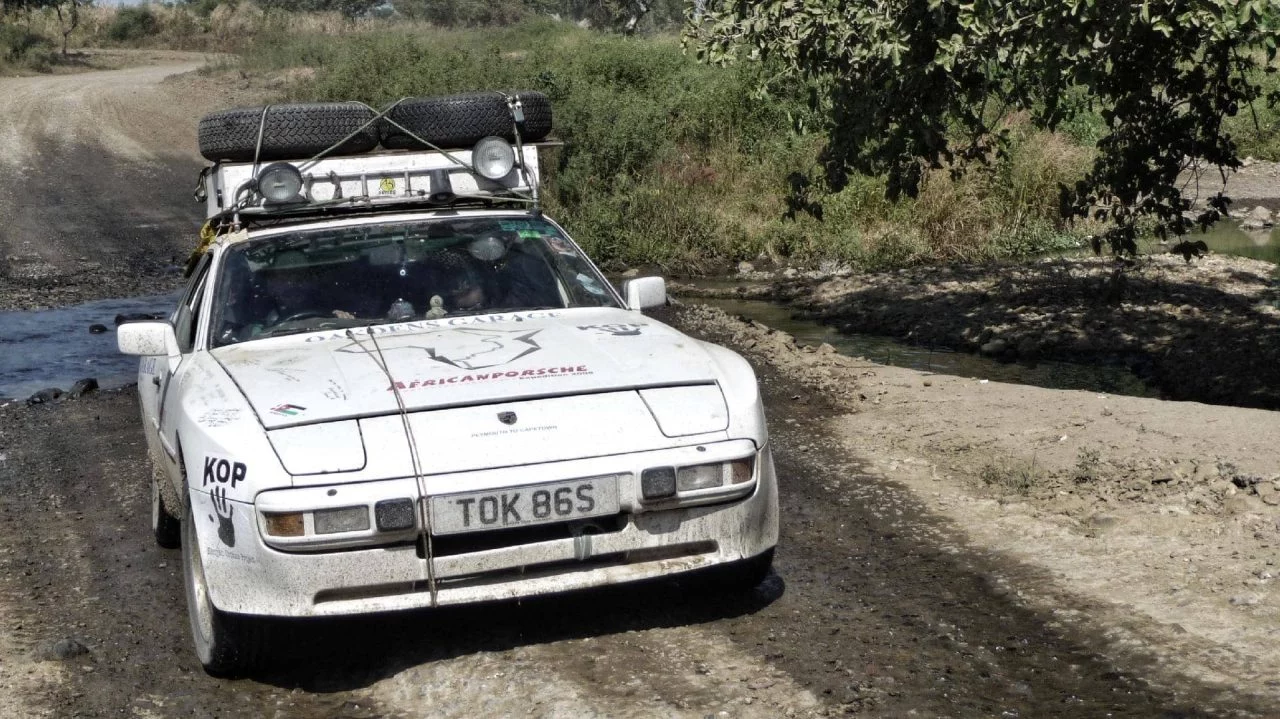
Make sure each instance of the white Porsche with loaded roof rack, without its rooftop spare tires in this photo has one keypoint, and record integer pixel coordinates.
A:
(387, 388)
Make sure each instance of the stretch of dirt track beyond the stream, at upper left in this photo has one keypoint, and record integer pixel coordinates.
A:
(102, 166)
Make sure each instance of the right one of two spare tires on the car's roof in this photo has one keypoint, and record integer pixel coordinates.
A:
(461, 121)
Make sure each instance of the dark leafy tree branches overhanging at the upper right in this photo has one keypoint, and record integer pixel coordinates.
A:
(913, 85)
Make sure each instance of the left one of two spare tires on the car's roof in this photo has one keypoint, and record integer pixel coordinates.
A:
(290, 132)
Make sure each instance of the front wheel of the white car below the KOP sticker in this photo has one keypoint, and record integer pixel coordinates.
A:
(227, 645)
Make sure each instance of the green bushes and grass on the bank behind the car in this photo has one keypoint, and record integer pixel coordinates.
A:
(678, 164)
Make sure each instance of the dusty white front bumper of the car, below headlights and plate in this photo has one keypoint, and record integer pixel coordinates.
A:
(250, 578)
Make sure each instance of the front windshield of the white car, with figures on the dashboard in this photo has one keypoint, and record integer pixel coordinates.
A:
(359, 276)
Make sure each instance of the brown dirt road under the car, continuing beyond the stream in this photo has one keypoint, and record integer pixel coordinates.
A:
(906, 584)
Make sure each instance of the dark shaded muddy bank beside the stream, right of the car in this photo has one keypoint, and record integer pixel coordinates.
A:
(1204, 331)
